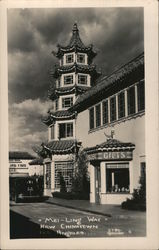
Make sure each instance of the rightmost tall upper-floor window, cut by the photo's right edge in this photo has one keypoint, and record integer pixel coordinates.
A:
(141, 96)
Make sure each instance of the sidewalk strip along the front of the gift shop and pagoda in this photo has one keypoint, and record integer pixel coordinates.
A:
(106, 210)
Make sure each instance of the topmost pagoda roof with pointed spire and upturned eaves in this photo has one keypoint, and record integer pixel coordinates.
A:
(76, 45)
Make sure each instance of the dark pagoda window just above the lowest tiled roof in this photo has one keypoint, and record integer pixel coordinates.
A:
(65, 130)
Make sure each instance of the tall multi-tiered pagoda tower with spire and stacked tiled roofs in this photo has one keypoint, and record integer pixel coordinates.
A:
(74, 75)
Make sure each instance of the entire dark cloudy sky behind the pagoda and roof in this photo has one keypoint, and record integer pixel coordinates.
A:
(116, 33)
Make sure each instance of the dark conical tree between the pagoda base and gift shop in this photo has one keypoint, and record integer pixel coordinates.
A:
(80, 182)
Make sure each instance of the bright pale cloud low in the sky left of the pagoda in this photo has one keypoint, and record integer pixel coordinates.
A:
(25, 125)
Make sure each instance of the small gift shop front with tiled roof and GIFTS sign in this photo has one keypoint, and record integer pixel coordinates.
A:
(111, 172)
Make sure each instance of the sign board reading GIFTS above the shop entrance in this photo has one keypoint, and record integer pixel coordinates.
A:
(120, 155)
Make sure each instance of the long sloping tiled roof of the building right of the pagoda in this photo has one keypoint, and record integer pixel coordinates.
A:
(104, 85)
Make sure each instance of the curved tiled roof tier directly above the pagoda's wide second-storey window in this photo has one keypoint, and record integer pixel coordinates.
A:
(58, 115)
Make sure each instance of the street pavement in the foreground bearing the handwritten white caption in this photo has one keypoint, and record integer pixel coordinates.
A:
(44, 220)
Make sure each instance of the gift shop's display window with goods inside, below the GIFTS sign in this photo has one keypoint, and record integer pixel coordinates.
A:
(117, 178)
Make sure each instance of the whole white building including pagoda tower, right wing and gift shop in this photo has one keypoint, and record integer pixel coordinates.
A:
(106, 118)
